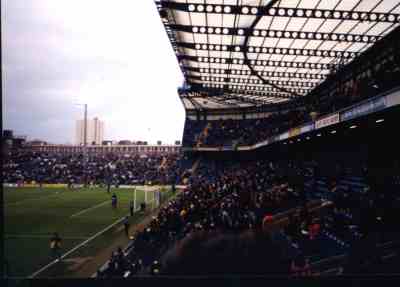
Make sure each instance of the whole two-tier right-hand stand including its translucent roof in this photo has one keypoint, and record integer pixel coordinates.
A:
(289, 143)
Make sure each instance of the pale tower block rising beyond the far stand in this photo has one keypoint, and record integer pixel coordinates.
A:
(94, 132)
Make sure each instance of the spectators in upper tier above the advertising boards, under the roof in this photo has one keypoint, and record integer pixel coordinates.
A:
(230, 132)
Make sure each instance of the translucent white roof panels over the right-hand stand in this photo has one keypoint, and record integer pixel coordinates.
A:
(294, 36)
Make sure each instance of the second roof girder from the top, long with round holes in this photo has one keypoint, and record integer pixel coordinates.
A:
(280, 34)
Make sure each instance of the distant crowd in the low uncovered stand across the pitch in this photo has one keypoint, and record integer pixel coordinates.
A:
(22, 166)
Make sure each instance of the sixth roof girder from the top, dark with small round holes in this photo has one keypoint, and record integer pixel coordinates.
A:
(233, 81)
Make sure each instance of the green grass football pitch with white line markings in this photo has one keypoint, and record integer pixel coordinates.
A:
(83, 218)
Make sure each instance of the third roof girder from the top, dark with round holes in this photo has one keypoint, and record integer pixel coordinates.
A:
(271, 50)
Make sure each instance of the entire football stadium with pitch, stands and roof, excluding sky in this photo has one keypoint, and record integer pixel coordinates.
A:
(288, 165)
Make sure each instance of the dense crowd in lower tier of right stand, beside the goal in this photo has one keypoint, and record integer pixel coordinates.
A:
(231, 200)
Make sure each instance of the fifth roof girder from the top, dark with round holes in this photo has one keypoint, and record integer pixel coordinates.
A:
(305, 76)
